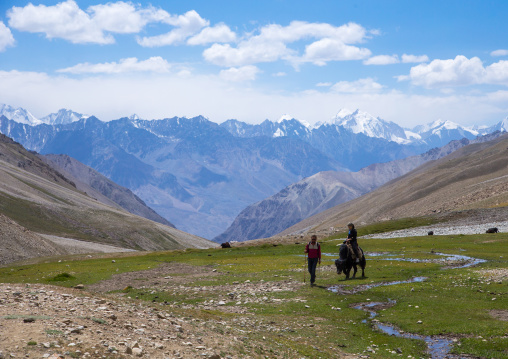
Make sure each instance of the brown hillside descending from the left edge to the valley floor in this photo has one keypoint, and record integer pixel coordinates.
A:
(37, 200)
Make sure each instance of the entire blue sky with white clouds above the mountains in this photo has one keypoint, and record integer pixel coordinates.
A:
(410, 62)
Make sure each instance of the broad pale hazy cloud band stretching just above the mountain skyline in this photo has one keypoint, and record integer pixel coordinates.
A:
(220, 100)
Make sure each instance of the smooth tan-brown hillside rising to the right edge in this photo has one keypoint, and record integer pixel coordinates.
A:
(471, 178)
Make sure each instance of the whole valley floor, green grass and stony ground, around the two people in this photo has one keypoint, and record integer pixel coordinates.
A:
(252, 302)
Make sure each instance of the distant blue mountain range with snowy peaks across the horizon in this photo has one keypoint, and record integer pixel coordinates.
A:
(200, 175)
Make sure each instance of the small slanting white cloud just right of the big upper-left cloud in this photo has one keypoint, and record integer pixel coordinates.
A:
(185, 25)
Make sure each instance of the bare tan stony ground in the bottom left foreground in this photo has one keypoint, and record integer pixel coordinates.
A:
(43, 321)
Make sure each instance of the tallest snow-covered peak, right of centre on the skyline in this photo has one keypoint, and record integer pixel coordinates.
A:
(362, 122)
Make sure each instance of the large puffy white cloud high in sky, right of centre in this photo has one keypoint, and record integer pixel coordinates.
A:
(332, 43)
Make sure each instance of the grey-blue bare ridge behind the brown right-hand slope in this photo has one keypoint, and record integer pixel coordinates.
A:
(319, 192)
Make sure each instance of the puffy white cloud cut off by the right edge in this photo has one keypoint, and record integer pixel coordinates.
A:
(460, 71)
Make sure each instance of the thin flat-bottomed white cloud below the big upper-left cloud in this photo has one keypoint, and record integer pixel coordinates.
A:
(153, 64)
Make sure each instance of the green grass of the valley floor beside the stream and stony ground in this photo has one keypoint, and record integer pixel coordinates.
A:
(451, 302)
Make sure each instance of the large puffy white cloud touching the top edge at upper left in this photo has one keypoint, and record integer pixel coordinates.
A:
(67, 21)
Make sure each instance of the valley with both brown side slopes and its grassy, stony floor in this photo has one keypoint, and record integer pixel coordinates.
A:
(150, 290)
